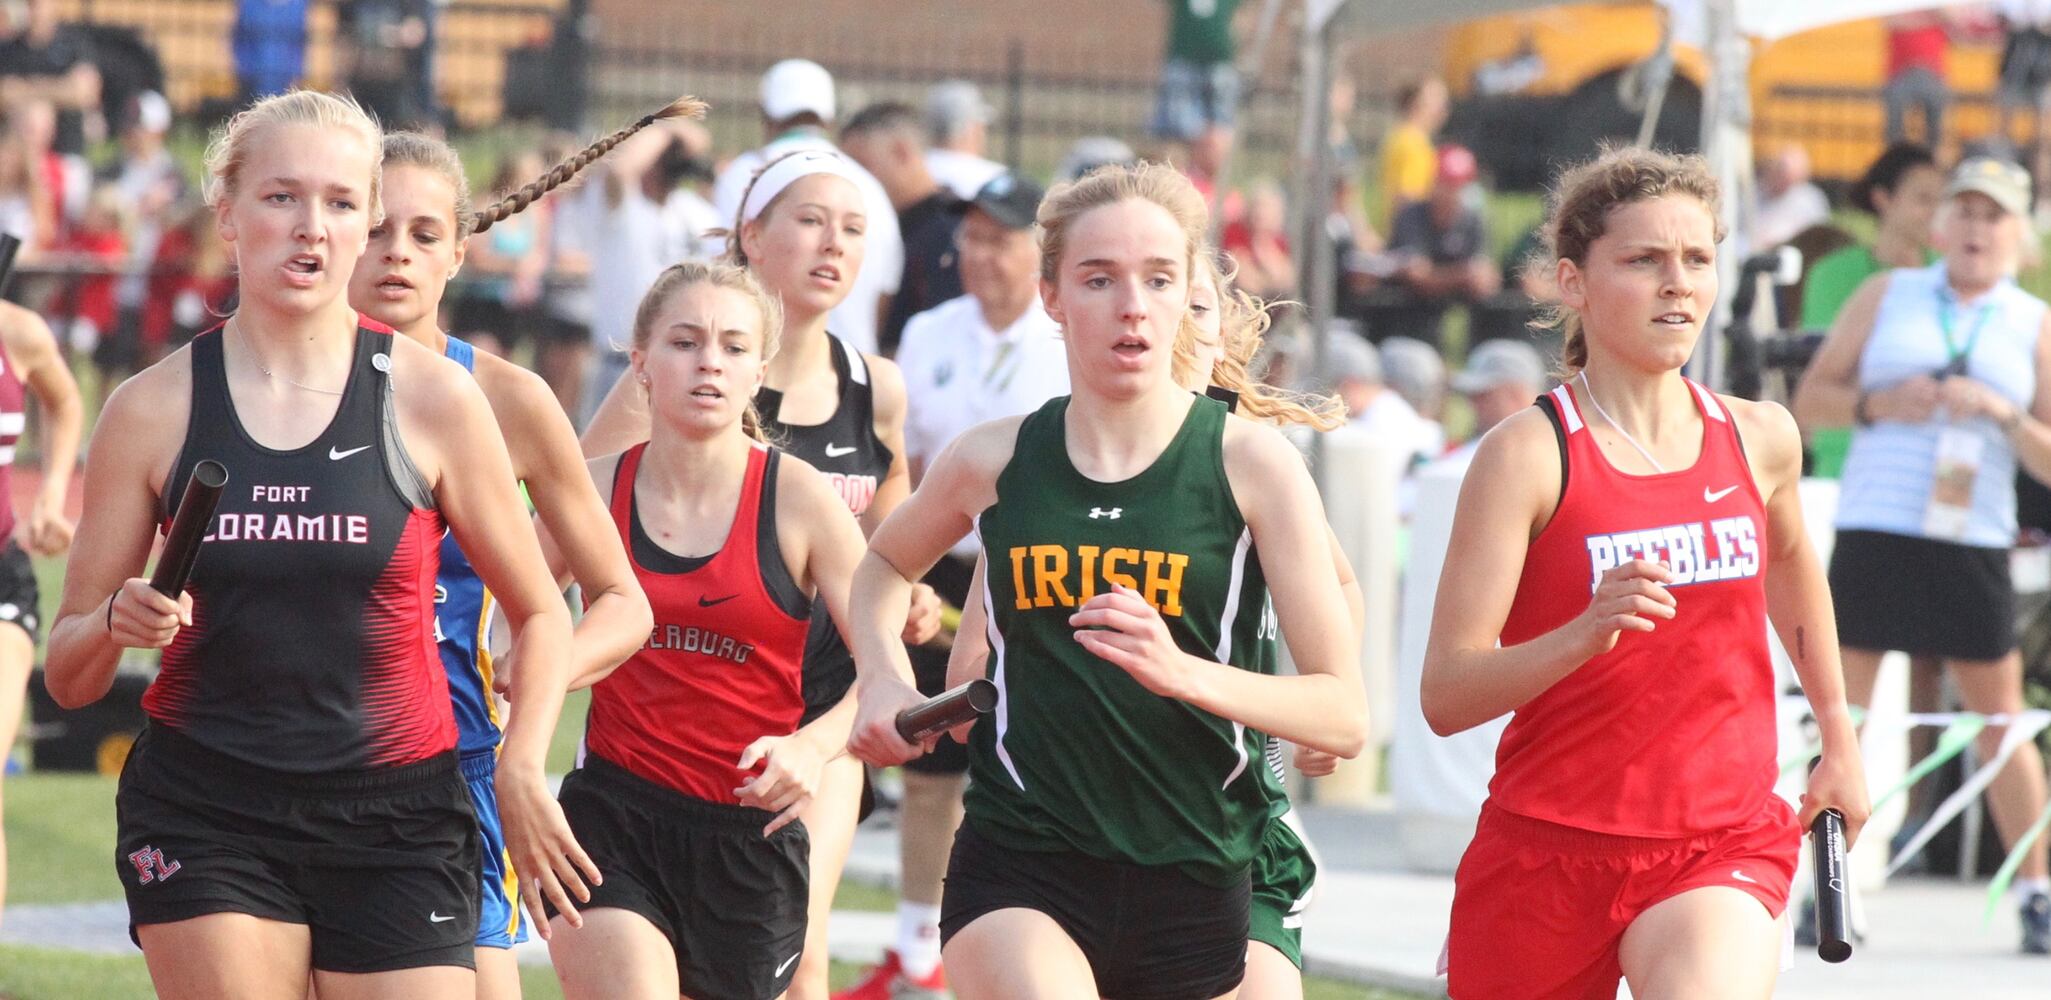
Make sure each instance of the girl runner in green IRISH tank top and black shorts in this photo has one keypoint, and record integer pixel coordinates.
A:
(1117, 794)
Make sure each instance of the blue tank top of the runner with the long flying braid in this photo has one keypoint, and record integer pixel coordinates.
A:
(463, 626)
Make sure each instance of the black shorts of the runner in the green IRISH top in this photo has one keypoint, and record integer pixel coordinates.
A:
(1150, 933)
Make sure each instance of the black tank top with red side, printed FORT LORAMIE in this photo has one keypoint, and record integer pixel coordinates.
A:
(313, 640)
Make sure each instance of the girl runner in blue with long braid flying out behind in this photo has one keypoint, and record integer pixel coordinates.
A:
(413, 255)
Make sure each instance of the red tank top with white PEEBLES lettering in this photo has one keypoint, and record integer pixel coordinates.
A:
(1671, 733)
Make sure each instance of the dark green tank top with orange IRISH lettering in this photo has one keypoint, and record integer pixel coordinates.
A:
(1078, 755)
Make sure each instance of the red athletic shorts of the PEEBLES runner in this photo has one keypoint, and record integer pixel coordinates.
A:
(1539, 909)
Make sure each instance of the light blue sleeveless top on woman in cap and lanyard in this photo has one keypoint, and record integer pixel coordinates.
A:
(1892, 468)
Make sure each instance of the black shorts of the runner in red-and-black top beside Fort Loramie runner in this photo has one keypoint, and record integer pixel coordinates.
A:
(729, 901)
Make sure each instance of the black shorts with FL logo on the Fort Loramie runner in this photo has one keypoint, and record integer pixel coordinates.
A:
(383, 866)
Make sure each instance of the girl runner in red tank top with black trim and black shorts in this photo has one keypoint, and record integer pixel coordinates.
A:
(696, 767)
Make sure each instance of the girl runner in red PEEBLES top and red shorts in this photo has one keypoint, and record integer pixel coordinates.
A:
(1615, 560)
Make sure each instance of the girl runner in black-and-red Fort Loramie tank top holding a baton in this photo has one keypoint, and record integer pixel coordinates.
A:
(300, 694)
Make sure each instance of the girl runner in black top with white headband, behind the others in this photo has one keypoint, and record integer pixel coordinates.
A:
(801, 233)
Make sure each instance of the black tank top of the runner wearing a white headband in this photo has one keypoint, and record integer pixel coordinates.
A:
(856, 462)
